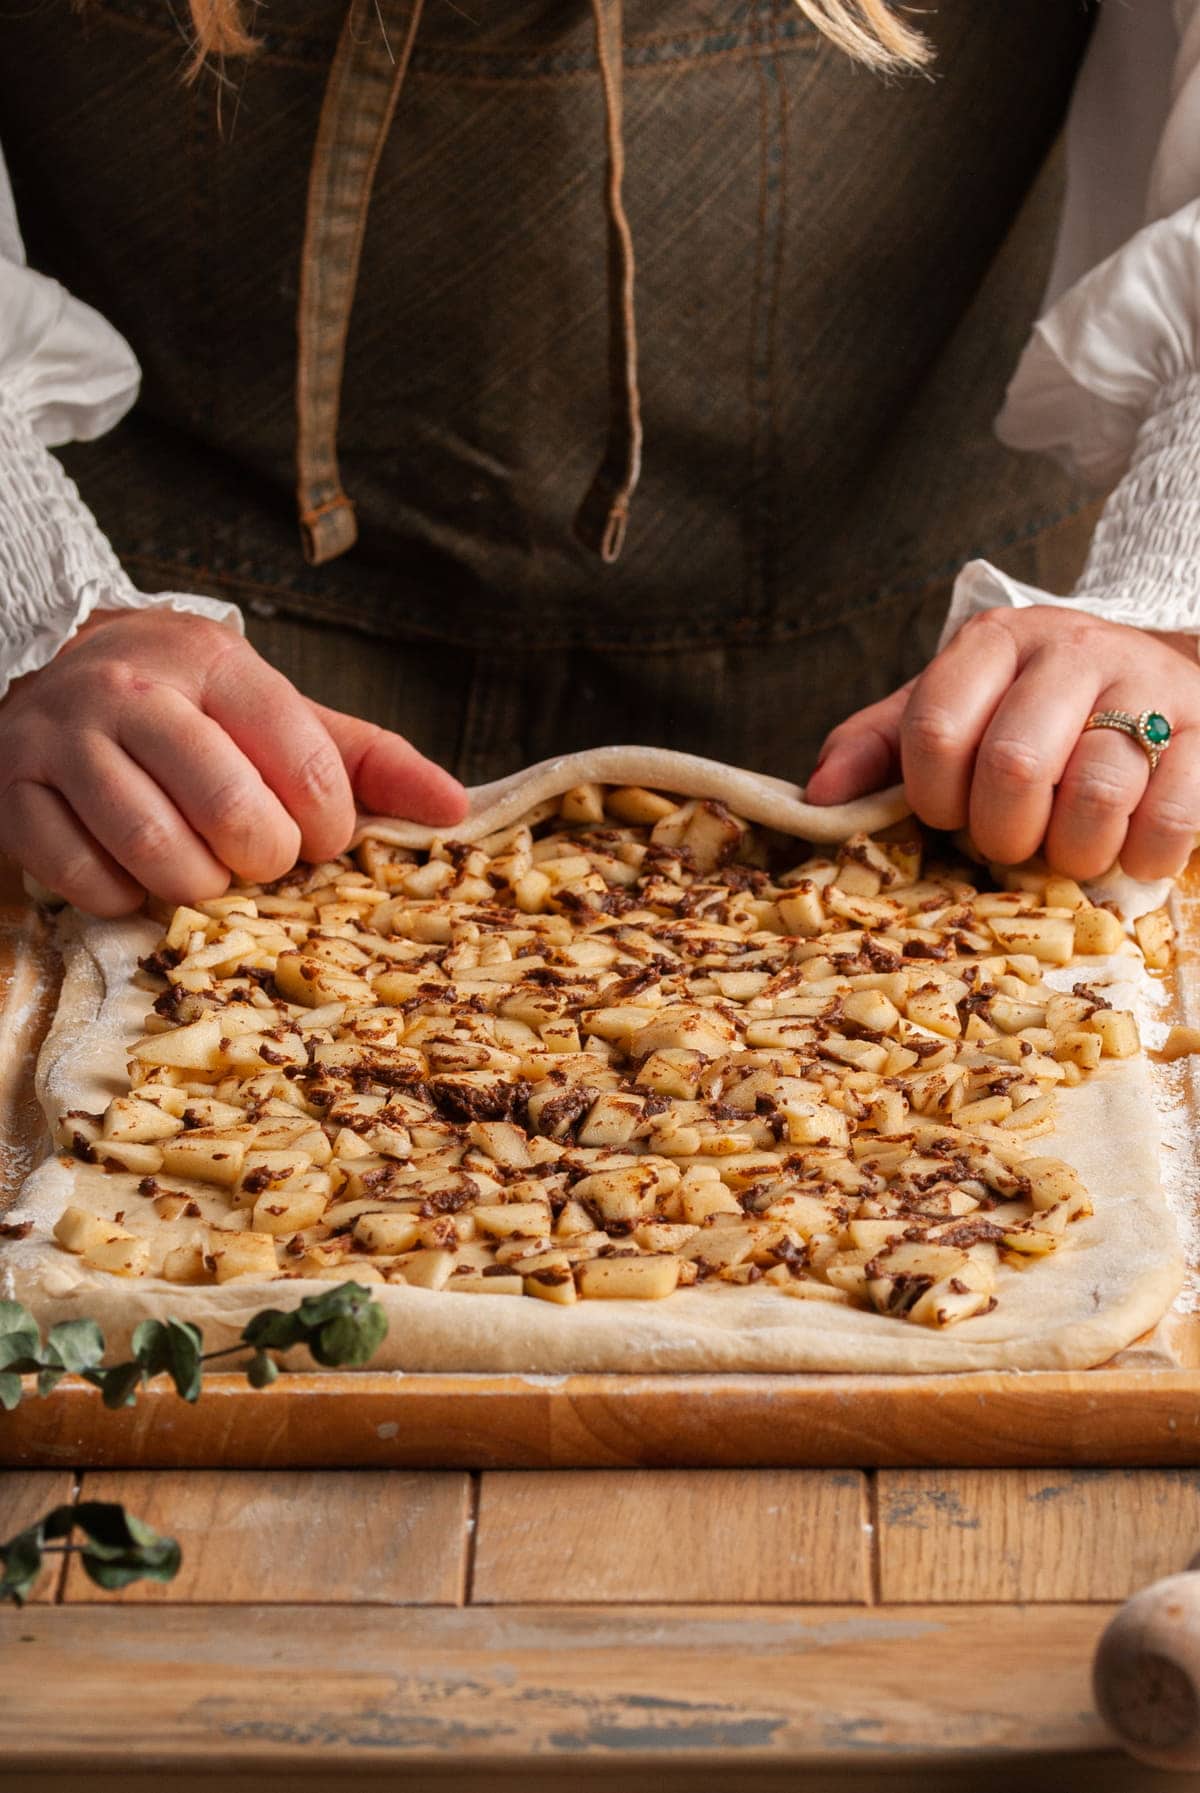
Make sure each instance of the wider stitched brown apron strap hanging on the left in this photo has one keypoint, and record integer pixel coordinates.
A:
(356, 116)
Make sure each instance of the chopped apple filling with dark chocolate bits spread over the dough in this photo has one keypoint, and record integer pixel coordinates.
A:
(614, 1053)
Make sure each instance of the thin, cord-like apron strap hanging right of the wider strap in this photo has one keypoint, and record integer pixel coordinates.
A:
(604, 515)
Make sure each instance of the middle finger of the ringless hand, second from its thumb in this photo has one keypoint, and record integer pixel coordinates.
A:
(213, 784)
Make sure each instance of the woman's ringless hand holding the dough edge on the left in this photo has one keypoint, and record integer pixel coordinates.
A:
(159, 752)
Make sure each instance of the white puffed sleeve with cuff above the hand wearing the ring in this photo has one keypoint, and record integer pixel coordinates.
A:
(1109, 381)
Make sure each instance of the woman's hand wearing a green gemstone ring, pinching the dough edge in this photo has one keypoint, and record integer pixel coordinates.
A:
(991, 738)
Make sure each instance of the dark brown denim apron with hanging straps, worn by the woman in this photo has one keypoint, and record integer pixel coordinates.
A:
(539, 374)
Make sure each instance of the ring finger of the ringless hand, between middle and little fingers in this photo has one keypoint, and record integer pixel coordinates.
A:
(135, 822)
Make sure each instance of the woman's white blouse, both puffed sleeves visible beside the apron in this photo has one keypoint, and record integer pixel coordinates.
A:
(1109, 383)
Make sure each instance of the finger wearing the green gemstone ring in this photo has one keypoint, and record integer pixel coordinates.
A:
(1102, 786)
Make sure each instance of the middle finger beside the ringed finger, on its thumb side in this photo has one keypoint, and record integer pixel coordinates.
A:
(1023, 756)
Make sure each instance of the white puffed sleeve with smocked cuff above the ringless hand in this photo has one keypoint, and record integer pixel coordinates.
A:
(65, 376)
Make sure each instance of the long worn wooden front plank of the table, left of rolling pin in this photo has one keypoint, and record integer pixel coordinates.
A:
(632, 1686)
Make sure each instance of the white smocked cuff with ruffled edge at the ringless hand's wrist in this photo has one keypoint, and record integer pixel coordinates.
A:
(57, 567)
